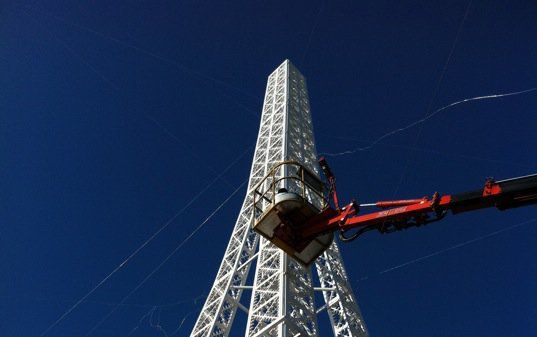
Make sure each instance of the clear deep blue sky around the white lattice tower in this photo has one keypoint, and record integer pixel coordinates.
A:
(115, 114)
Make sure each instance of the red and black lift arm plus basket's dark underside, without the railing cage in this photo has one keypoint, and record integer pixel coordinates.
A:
(294, 234)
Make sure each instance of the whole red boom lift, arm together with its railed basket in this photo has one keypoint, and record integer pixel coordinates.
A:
(291, 210)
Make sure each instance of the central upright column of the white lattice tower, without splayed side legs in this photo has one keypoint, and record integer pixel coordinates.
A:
(282, 301)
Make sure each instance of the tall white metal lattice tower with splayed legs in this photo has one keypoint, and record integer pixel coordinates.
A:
(282, 300)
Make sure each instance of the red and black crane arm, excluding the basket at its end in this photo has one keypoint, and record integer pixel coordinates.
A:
(402, 214)
